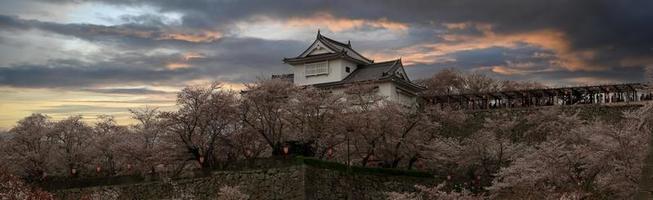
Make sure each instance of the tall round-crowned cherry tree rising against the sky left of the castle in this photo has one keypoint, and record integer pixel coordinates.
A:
(206, 116)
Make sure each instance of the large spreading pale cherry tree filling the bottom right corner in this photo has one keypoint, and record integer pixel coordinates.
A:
(596, 160)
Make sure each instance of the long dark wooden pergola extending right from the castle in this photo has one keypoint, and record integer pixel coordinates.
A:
(597, 94)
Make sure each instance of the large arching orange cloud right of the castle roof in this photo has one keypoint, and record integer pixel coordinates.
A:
(550, 39)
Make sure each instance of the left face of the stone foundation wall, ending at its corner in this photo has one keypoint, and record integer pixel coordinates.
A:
(274, 183)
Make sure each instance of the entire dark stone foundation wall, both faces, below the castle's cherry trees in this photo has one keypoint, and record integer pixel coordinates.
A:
(288, 182)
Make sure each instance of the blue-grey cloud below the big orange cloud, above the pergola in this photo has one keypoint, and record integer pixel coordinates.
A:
(525, 63)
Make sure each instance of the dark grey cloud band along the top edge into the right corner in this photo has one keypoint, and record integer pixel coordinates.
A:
(612, 30)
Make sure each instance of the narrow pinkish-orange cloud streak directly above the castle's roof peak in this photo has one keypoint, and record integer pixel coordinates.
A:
(336, 24)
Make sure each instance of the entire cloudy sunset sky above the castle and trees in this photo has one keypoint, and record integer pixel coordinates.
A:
(69, 57)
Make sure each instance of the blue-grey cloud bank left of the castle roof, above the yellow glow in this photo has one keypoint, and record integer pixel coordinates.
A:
(237, 60)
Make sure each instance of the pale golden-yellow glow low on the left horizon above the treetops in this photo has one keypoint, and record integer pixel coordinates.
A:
(18, 103)
